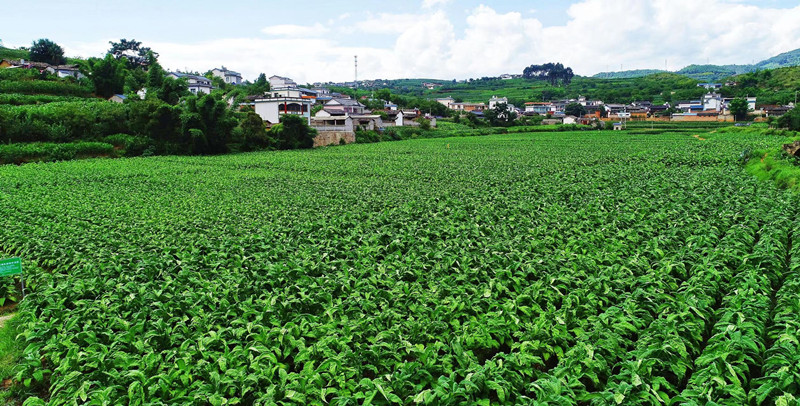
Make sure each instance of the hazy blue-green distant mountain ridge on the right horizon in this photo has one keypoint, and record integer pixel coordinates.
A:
(713, 73)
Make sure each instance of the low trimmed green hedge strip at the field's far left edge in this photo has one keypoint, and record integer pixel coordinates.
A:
(44, 152)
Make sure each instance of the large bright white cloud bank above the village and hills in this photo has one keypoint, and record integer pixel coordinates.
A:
(597, 35)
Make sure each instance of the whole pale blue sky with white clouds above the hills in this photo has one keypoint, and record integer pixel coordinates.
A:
(315, 40)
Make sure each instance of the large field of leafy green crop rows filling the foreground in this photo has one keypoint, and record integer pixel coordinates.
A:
(543, 268)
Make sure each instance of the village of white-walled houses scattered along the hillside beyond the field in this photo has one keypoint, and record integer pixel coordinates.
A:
(338, 116)
